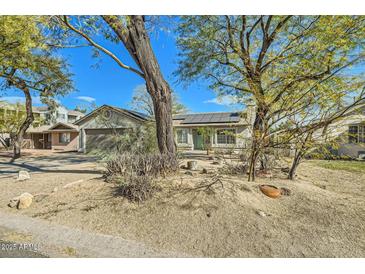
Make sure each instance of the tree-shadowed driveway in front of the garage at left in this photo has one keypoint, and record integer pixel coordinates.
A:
(36, 161)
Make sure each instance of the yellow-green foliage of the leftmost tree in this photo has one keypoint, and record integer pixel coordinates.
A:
(26, 56)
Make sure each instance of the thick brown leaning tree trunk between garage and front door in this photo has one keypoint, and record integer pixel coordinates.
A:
(137, 41)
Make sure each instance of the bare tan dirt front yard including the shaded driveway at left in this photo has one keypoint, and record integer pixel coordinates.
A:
(323, 217)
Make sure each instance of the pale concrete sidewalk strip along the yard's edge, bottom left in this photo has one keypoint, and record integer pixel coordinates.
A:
(61, 241)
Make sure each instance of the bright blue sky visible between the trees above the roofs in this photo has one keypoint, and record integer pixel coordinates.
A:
(109, 84)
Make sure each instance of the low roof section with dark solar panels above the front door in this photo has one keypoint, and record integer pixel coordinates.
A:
(209, 118)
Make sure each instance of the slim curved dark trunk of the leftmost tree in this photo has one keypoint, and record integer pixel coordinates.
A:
(18, 137)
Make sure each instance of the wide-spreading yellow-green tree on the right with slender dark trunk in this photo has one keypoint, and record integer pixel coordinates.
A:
(284, 63)
